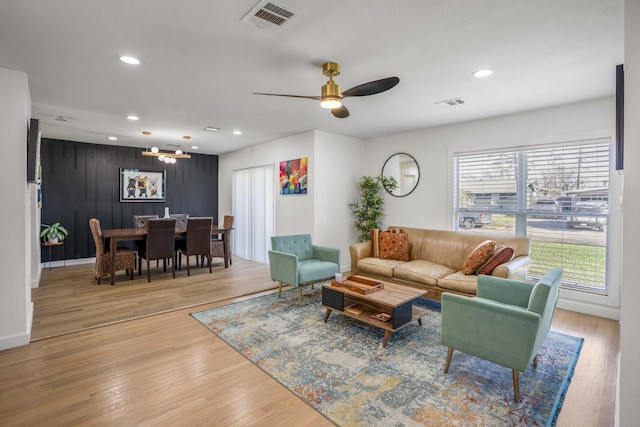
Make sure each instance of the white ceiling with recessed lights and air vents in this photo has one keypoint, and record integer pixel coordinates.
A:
(202, 63)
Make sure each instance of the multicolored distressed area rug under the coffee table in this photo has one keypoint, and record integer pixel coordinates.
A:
(341, 369)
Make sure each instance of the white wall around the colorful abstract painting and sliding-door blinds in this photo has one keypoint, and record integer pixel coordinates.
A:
(333, 174)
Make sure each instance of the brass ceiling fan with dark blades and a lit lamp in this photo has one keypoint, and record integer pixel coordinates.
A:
(332, 94)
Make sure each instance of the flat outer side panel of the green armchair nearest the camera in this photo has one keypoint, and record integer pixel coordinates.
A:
(501, 333)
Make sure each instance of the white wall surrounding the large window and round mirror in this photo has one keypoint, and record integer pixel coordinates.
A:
(431, 204)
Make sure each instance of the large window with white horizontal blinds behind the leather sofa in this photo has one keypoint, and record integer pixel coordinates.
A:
(556, 195)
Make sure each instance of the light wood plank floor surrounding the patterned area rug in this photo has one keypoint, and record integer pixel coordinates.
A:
(167, 369)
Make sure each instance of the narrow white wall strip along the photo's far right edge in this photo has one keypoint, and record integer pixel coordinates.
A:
(629, 377)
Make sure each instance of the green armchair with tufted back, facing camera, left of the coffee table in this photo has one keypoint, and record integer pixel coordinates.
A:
(295, 261)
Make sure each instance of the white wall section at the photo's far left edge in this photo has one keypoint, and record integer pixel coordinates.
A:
(16, 310)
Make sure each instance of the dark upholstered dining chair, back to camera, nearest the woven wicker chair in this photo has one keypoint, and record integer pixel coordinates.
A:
(159, 245)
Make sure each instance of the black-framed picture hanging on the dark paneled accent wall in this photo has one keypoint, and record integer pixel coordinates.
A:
(142, 185)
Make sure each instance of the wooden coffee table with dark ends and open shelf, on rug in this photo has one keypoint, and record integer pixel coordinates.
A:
(394, 300)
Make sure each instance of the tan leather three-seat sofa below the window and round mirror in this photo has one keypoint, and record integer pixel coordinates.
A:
(436, 260)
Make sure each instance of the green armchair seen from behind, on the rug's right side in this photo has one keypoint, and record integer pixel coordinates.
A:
(506, 323)
